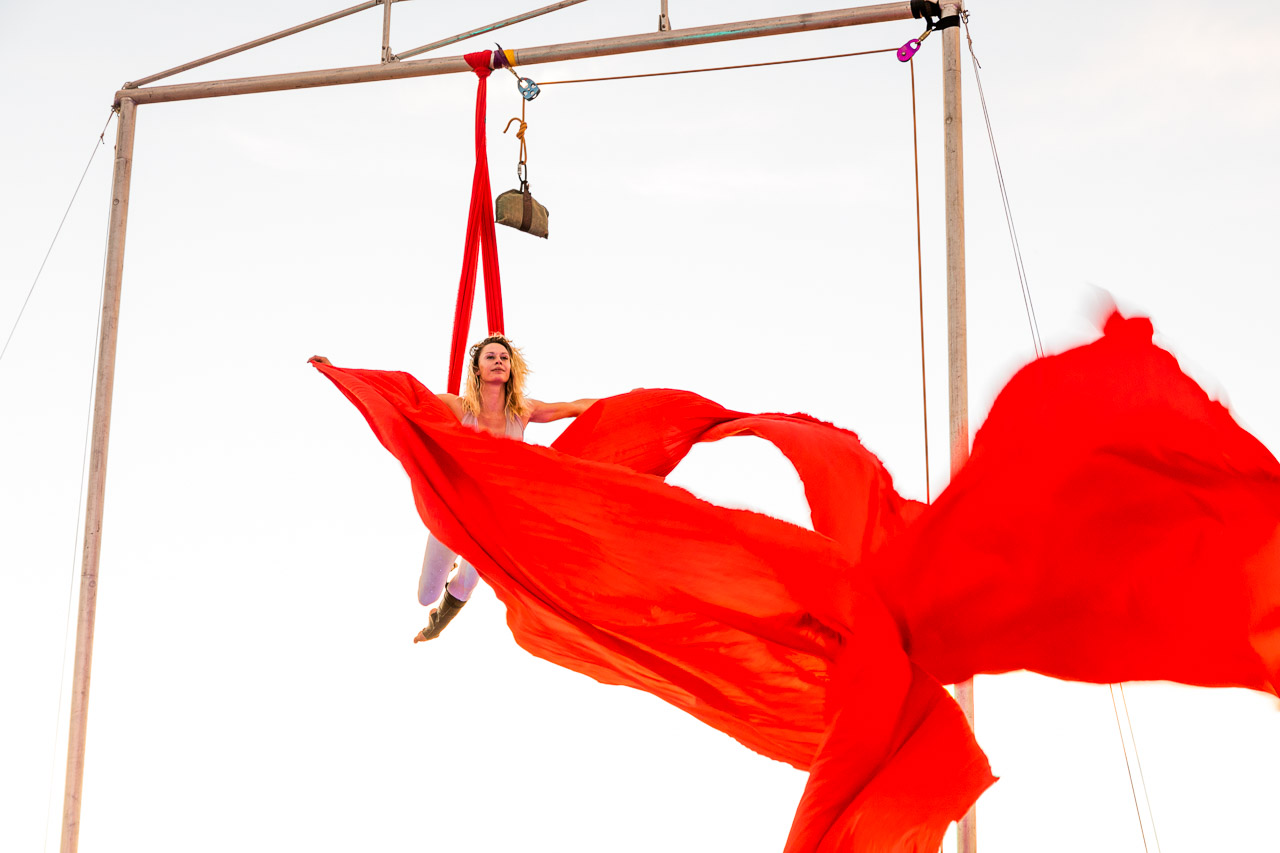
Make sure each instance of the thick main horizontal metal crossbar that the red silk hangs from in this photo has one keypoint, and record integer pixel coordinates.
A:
(528, 56)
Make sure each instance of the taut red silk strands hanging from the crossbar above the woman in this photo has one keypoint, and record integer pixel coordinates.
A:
(481, 239)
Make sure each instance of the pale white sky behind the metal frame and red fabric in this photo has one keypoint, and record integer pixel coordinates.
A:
(748, 236)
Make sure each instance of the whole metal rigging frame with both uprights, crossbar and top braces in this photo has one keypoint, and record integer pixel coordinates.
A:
(392, 67)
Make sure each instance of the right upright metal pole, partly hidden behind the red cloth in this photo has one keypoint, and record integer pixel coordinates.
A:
(958, 367)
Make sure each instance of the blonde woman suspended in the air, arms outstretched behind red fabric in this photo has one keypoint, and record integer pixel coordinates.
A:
(493, 403)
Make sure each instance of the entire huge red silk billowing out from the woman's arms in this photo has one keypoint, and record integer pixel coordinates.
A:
(1112, 524)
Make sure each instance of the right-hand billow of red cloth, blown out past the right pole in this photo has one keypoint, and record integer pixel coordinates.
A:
(1113, 524)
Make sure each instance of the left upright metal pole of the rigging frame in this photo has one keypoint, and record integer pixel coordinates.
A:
(98, 476)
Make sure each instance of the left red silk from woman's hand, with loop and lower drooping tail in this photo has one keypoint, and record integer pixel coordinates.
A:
(742, 621)
